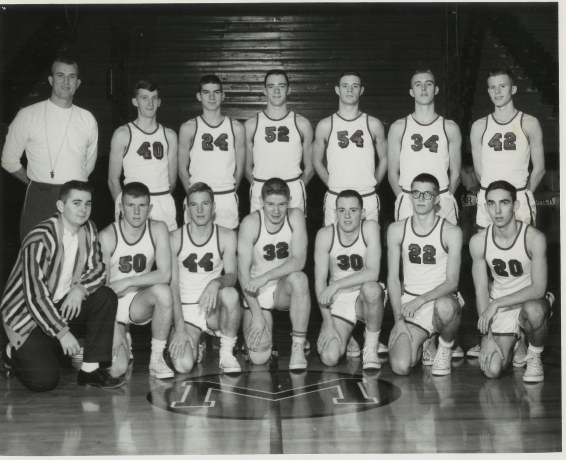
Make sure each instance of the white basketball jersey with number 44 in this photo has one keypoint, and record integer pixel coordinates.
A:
(198, 264)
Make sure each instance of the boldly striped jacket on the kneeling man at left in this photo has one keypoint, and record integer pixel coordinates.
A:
(28, 295)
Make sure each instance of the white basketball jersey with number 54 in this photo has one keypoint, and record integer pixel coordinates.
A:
(351, 155)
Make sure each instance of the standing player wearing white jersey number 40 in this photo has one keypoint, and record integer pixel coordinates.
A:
(147, 152)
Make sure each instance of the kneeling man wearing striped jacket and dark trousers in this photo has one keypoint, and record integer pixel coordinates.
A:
(56, 288)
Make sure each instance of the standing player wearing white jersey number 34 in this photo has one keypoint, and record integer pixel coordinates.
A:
(424, 142)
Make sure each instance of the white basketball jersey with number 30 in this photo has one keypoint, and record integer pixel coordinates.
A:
(347, 260)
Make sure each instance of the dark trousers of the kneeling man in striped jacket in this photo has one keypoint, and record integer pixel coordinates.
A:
(36, 362)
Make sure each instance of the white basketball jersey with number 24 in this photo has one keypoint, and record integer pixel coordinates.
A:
(212, 156)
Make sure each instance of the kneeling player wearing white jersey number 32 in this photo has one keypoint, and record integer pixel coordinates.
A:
(272, 250)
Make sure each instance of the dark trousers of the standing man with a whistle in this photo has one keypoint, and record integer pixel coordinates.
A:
(39, 205)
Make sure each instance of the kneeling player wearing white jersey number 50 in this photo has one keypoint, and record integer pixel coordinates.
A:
(130, 247)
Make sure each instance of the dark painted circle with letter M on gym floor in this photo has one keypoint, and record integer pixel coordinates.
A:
(258, 394)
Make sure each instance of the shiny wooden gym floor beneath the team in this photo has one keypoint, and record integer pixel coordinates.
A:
(267, 409)
